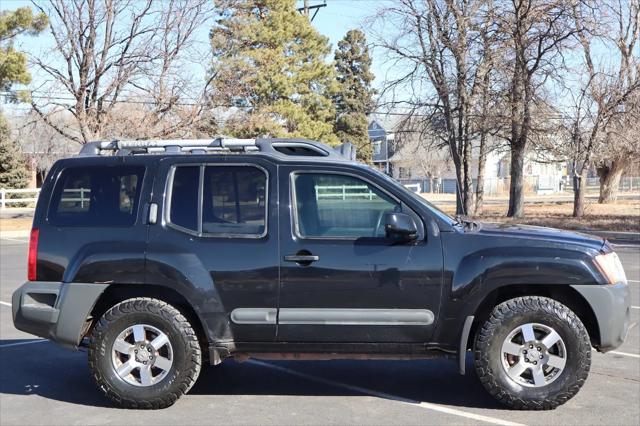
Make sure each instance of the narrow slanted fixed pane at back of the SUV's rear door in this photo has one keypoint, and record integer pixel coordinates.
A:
(184, 197)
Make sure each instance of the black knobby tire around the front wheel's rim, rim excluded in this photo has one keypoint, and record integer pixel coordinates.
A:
(488, 353)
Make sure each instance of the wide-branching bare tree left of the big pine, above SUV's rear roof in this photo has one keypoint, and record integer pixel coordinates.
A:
(117, 51)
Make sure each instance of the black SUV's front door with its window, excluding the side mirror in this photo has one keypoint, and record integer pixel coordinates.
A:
(342, 279)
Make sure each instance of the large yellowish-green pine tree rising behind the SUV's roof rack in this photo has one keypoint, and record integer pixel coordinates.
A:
(270, 63)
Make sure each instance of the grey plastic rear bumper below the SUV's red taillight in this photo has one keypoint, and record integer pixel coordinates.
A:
(55, 311)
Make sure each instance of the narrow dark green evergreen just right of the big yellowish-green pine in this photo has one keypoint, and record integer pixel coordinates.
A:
(354, 98)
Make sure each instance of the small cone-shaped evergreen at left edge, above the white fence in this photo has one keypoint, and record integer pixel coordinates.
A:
(13, 170)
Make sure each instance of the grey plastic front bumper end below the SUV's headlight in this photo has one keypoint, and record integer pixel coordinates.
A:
(611, 306)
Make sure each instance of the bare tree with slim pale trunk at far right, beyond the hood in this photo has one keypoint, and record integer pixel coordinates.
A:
(605, 97)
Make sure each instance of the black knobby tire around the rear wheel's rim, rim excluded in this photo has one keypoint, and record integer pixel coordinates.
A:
(187, 354)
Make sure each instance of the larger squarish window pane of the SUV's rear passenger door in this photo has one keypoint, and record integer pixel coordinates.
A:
(234, 200)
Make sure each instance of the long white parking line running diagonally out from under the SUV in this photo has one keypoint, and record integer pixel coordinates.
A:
(365, 391)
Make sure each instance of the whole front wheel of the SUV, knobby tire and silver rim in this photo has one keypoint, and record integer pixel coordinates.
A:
(533, 353)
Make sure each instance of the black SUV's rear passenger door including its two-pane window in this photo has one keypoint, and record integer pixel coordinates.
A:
(216, 242)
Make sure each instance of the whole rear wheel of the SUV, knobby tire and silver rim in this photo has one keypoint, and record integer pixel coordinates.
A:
(144, 354)
